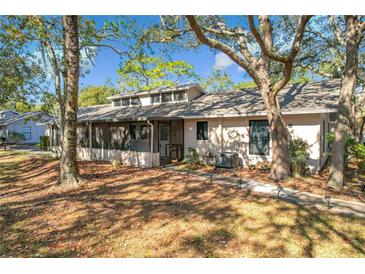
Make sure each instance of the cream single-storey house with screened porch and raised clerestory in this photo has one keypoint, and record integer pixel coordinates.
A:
(156, 127)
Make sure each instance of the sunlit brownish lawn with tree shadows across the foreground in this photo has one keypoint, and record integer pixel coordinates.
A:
(133, 212)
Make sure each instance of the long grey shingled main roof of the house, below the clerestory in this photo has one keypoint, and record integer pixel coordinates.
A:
(312, 97)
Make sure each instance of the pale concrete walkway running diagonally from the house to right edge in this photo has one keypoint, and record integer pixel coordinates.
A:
(286, 194)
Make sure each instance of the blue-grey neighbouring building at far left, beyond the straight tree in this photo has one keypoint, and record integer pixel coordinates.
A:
(31, 124)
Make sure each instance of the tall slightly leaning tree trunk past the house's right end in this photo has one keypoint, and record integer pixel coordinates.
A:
(335, 177)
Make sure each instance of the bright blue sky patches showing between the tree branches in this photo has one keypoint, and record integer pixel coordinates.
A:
(203, 60)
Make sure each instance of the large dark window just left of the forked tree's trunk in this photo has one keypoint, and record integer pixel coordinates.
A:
(259, 137)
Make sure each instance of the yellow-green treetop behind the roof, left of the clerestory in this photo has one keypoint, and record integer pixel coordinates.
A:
(95, 95)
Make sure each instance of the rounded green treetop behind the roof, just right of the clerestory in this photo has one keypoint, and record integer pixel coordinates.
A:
(218, 81)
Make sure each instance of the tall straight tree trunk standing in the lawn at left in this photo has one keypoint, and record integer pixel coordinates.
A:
(68, 165)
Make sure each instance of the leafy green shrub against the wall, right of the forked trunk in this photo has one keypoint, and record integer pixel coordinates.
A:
(298, 150)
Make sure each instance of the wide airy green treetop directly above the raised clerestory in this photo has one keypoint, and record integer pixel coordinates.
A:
(145, 72)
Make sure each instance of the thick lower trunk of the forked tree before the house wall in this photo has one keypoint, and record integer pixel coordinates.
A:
(280, 167)
